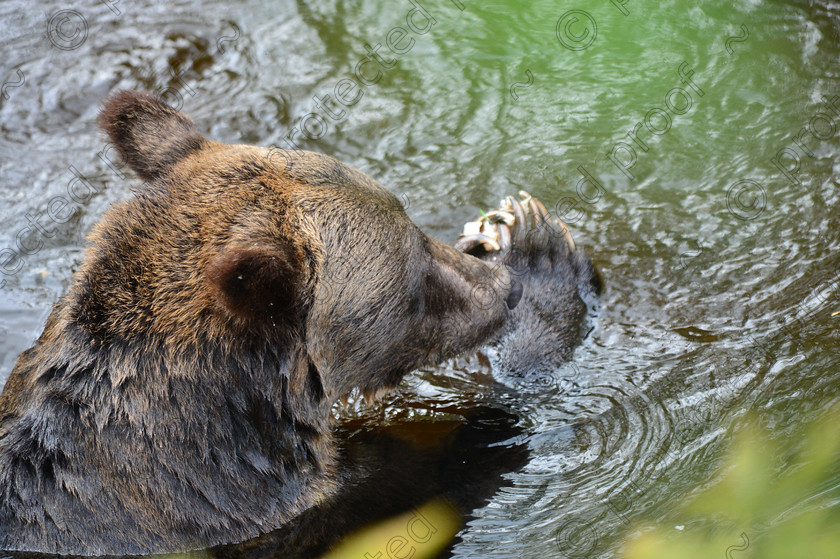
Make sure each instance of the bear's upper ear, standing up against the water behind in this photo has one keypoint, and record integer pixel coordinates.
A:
(150, 136)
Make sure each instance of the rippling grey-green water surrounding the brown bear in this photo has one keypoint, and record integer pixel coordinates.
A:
(720, 264)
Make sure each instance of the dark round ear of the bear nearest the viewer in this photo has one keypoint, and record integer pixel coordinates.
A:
(256, 283)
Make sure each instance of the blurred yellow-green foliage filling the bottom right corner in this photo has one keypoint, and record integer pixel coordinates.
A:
(774, 501)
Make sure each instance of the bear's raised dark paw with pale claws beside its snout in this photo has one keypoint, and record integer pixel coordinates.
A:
(560, 287)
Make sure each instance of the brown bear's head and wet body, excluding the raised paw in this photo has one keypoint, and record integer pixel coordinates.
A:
(180, 394)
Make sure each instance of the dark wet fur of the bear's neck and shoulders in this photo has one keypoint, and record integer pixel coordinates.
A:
(150, 446)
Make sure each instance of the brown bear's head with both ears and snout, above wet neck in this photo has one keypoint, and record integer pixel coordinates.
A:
(290, 248)
